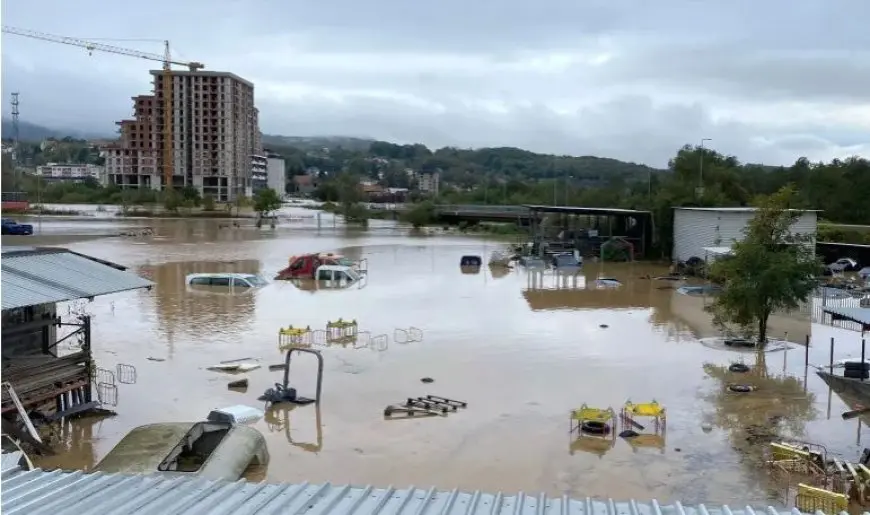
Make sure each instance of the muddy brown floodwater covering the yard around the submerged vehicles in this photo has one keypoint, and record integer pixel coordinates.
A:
(522, 348)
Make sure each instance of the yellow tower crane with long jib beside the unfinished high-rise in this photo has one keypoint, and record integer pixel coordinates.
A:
(166, 59)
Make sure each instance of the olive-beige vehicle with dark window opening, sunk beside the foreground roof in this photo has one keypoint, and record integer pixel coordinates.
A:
(207, 450)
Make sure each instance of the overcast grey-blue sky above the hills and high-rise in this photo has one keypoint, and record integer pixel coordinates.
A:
(768, 81)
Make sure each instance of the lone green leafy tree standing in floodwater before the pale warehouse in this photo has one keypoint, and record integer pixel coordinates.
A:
(772, 269)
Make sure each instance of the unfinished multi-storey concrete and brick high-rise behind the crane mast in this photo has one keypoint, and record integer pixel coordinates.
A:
(214, 130)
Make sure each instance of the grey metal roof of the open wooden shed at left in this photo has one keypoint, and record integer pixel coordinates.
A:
(39, 276)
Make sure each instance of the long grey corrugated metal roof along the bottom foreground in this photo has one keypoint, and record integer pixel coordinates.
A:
(52, 493)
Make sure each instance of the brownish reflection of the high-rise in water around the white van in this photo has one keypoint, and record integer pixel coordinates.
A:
(184, 309)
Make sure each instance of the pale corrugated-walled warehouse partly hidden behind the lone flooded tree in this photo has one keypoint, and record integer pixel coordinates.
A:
(707, 231)
